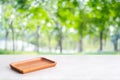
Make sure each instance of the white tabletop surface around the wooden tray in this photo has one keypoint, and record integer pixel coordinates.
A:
(69, 67)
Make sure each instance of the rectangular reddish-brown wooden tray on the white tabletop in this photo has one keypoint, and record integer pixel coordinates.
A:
(32, 65)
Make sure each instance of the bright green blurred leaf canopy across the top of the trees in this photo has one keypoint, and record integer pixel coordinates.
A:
(57, 17)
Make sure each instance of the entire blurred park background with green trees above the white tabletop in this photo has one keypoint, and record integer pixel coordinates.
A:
(59, 26)
